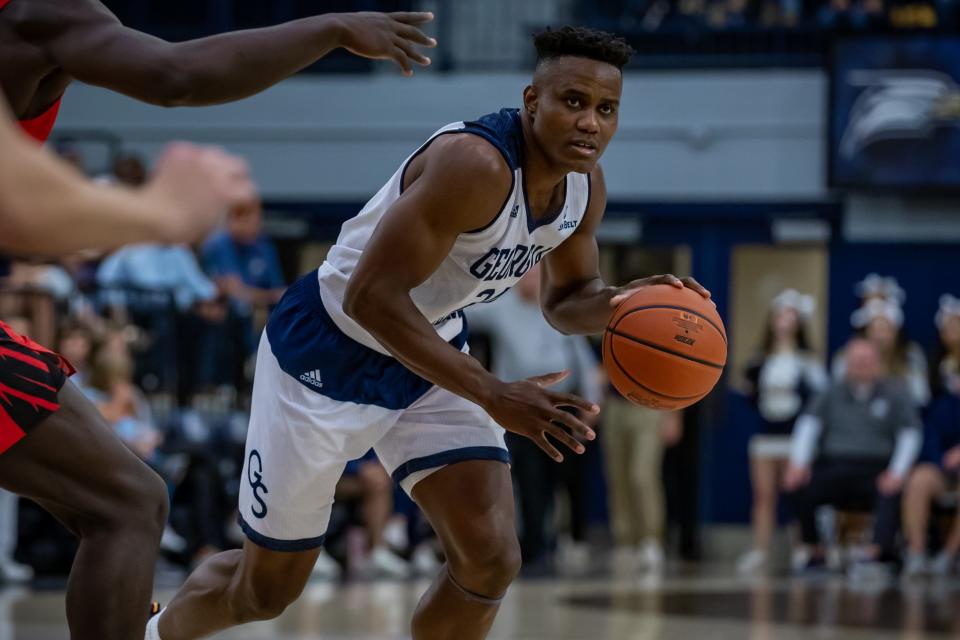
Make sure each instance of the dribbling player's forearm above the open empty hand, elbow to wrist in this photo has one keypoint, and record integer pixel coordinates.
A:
(399, 326)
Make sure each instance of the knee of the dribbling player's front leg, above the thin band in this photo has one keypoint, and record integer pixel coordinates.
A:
(487, 566)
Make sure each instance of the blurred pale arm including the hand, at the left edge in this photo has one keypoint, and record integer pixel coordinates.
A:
(47, 207)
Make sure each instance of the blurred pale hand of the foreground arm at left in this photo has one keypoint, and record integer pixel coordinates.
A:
(198, 186)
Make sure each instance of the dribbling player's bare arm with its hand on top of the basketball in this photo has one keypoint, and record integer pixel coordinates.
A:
(573, 295)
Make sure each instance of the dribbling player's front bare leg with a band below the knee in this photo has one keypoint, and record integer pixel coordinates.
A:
(470, 505)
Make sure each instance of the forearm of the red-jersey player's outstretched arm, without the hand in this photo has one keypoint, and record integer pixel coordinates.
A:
(236, 65)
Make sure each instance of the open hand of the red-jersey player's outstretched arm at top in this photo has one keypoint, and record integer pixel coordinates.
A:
(387, 36)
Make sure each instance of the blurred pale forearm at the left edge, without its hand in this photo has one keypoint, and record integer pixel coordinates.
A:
(46, 208)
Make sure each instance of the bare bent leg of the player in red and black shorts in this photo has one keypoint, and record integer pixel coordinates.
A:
(74, 466)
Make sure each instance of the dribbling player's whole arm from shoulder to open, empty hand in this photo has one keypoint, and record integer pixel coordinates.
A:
(460, 183)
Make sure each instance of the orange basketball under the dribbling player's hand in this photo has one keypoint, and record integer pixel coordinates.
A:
(665, 347)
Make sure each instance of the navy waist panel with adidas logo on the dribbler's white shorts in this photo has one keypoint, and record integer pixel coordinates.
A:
(312, 350)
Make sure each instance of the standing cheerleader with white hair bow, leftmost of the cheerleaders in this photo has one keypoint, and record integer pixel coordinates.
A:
(783, 377)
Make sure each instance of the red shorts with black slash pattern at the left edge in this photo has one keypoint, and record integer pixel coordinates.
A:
(31, 377)
